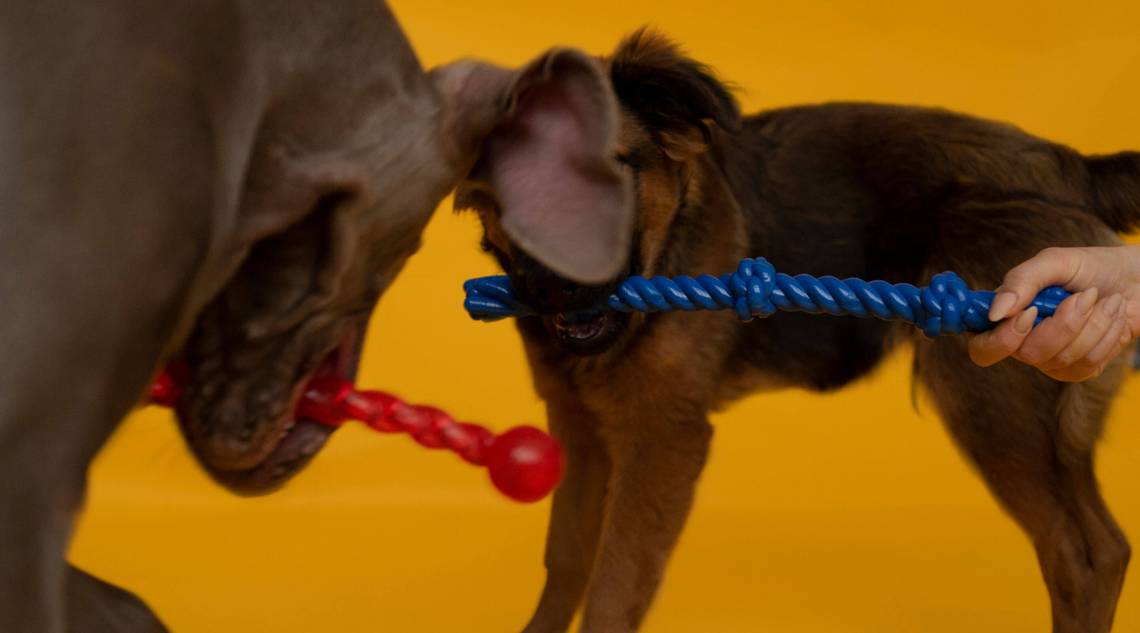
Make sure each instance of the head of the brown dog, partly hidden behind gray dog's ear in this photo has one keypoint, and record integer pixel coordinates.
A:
(670, 105)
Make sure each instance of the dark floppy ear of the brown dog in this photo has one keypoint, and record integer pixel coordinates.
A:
(677, 98)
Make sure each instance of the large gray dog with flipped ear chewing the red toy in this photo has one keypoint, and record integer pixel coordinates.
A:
(234, 184)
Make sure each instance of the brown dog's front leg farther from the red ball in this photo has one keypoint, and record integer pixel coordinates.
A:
(656, 467)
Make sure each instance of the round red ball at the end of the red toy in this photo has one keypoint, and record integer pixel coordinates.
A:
(525, 464)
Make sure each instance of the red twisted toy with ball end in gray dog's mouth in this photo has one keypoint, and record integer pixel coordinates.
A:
(525, 464)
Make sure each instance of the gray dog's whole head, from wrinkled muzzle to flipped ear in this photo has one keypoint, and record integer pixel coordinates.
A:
(302, 297)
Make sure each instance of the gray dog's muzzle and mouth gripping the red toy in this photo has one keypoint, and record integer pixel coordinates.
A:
(251, 441)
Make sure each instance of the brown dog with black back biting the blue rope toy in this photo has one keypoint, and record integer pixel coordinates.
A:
(848, 190)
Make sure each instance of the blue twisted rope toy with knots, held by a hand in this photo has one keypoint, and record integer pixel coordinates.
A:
(948, 306)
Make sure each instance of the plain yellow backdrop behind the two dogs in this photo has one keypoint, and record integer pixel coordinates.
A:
(841, 514)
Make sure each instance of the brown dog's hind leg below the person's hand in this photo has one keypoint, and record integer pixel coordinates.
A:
(1033, 442)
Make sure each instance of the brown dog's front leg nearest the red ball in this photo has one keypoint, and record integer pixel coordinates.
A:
(576, 517)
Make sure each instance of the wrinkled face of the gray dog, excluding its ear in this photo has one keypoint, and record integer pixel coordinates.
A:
(297, 307)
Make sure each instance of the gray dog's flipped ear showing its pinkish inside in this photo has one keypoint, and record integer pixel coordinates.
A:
(545, 139)
